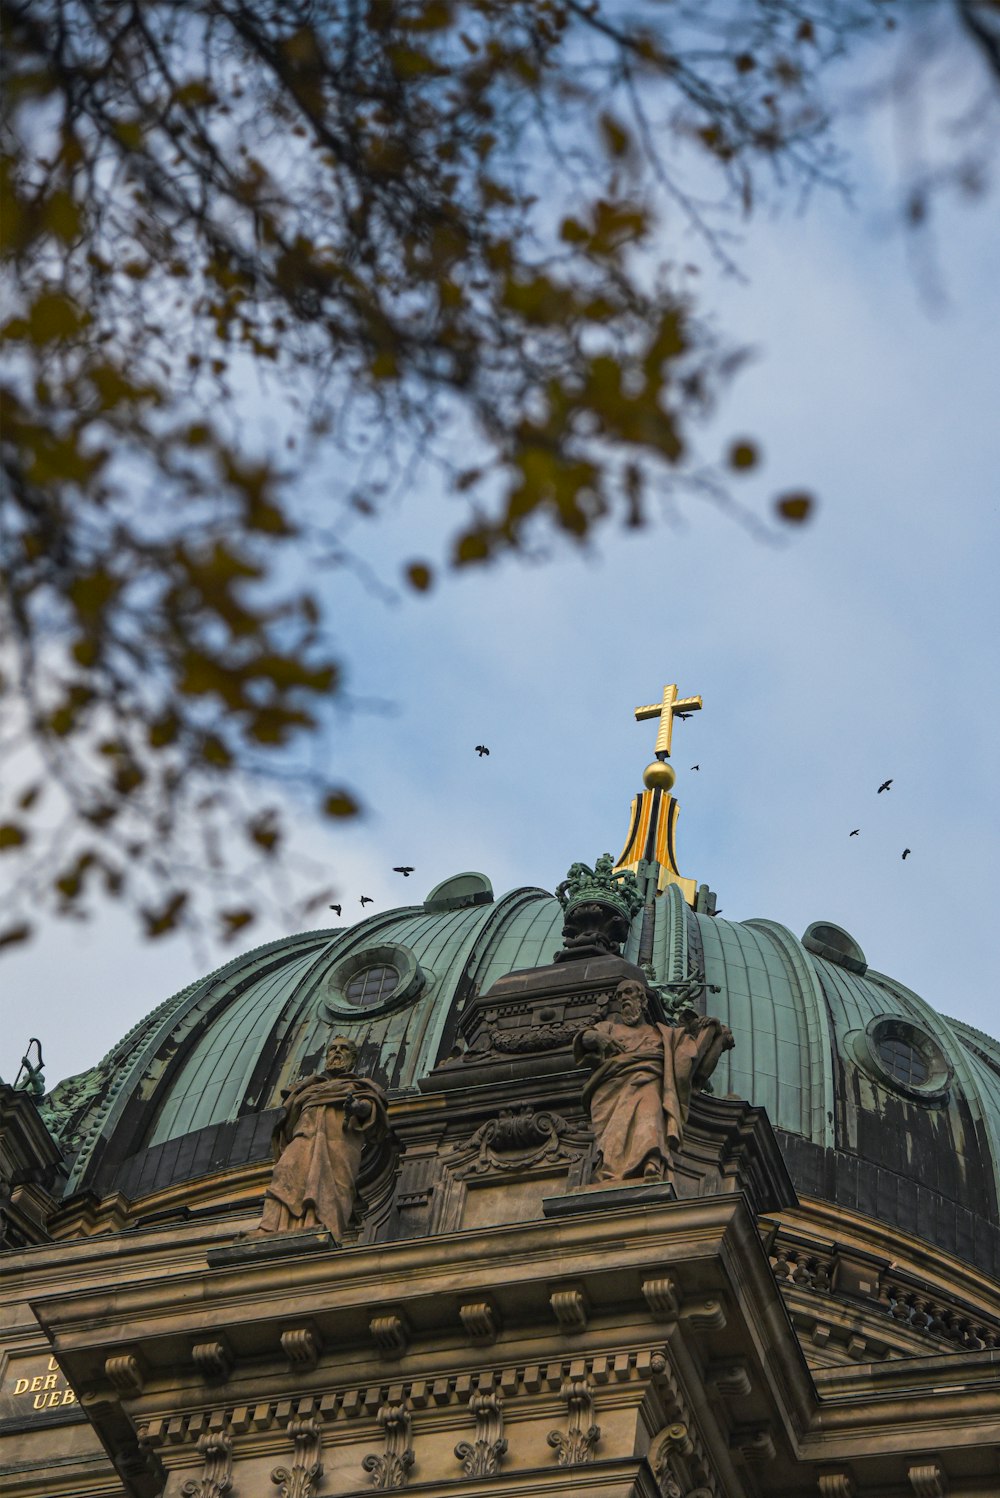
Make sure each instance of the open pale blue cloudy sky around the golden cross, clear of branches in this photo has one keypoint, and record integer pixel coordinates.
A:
(865, 648)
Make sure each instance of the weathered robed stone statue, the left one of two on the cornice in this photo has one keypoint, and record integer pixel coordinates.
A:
(318, 1145)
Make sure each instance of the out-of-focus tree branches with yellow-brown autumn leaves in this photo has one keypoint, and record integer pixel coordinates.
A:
(424, 228)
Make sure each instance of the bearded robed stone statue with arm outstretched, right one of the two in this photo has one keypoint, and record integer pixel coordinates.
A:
(644, 1075)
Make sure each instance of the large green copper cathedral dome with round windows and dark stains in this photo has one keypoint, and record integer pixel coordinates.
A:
(879, 1103)
